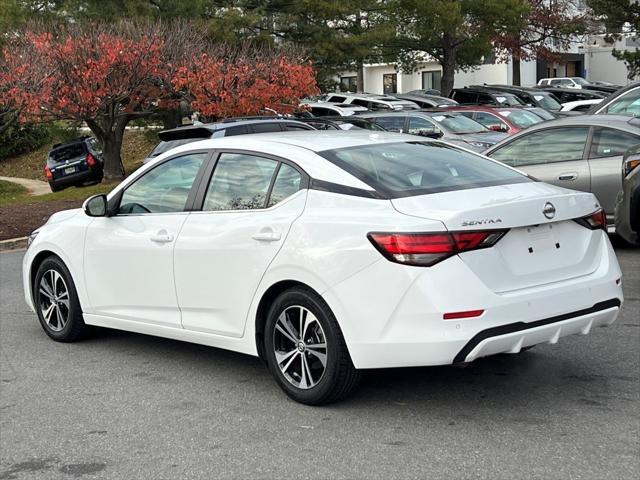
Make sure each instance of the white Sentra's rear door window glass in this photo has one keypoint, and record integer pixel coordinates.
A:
(239, 182)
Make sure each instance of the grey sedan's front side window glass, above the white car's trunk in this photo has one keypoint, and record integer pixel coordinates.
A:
(545, 146)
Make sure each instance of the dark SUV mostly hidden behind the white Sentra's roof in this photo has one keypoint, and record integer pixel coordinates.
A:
(232, 126)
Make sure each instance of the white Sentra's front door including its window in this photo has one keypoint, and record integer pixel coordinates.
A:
(129, 257)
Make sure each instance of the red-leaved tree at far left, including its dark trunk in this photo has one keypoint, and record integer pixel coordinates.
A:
(101, 75)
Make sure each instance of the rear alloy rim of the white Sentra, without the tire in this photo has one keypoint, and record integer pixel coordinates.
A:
(300, 347)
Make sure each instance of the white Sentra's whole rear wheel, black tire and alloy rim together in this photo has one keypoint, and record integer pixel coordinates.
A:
(288, 353)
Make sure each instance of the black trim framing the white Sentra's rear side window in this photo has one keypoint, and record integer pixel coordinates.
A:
(207, 175)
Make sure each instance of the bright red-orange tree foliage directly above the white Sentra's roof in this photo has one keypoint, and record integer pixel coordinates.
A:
(233, 81)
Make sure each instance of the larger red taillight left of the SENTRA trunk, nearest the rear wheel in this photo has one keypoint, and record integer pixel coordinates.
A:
(426, 249)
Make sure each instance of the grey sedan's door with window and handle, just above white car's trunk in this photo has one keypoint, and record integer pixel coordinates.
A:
(553, 155)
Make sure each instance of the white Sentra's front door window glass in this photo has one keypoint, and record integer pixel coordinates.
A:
(163, 189)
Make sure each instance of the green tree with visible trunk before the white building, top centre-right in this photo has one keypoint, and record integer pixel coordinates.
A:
(456, 33)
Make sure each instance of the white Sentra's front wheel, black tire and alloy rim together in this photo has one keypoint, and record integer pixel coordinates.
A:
(56, 302)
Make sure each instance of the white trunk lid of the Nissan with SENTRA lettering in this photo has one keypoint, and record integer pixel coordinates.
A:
(536, 250)
